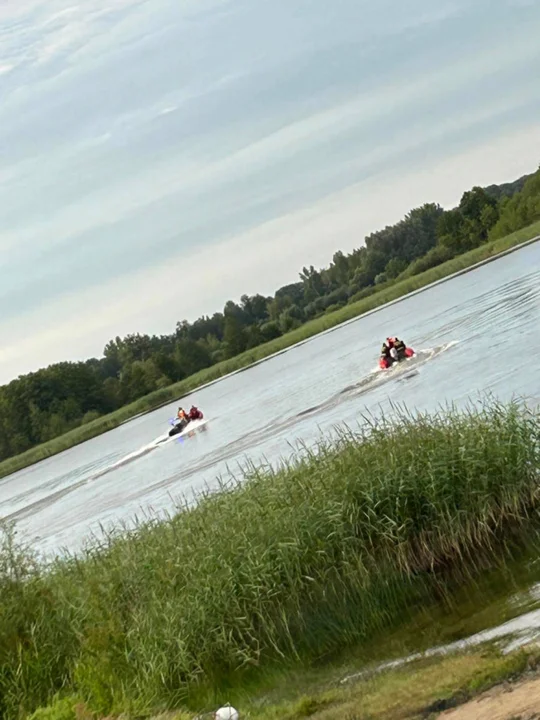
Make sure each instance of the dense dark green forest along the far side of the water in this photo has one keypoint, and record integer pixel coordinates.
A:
(44, 404)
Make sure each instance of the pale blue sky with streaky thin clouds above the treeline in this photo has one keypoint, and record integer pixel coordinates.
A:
(159, 157)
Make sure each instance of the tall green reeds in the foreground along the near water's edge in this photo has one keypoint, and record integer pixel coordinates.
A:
(287, 567)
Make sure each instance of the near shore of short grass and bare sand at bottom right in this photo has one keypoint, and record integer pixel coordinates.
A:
(481, 685)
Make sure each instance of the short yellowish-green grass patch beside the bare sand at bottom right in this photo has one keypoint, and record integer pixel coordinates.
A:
(421, 690)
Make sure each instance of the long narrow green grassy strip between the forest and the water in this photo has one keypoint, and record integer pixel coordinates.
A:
(388, 293)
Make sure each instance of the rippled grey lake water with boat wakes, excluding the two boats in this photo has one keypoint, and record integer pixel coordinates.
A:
(474, 334)
